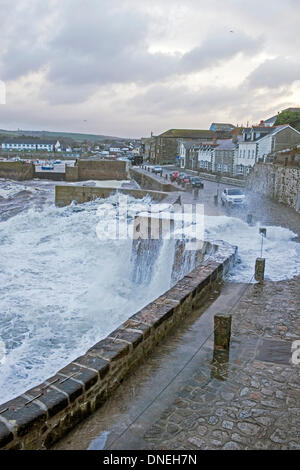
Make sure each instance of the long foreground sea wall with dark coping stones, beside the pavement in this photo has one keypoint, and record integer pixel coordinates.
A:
(42, 415)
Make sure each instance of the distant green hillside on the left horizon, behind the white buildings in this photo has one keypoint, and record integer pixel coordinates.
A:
(70, 136)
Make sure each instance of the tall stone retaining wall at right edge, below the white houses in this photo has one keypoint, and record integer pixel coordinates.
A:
(278, 182)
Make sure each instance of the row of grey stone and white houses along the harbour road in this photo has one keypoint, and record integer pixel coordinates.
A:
(223, 148)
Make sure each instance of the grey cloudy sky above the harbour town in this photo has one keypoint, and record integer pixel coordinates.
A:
(129, 67)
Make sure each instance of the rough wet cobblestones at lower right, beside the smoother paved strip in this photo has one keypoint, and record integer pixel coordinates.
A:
(257, 407)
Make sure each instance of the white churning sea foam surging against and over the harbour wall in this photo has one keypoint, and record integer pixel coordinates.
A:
(62, 288)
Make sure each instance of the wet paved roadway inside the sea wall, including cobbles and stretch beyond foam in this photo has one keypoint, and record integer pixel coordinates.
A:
(187, 396)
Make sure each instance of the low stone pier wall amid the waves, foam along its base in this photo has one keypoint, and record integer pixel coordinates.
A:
(64, 195)
